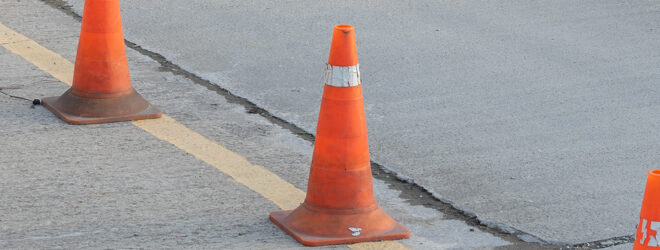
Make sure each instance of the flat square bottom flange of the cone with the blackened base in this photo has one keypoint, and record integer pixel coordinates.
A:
(150, 112)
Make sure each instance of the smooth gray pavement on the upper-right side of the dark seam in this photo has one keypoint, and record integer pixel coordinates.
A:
(537, 114)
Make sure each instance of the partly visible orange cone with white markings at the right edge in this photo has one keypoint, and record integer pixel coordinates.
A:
(648, 230)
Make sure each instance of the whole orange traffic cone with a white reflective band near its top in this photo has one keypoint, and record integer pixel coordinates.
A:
(340, 205)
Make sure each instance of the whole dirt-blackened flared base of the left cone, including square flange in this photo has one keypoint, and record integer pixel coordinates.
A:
(81, 110)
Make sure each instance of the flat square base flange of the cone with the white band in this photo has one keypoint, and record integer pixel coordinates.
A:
(279, 218)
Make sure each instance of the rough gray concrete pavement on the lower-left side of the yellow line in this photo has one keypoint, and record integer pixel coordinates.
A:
(109, 186)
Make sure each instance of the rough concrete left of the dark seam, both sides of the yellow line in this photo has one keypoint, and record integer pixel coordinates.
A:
(116, 186)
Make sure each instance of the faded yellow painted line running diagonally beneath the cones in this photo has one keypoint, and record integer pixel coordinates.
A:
(259, 179)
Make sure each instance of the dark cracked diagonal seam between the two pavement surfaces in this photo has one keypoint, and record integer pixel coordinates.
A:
(394, 179)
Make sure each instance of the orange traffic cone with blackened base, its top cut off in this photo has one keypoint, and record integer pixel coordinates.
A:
(101, 90)
